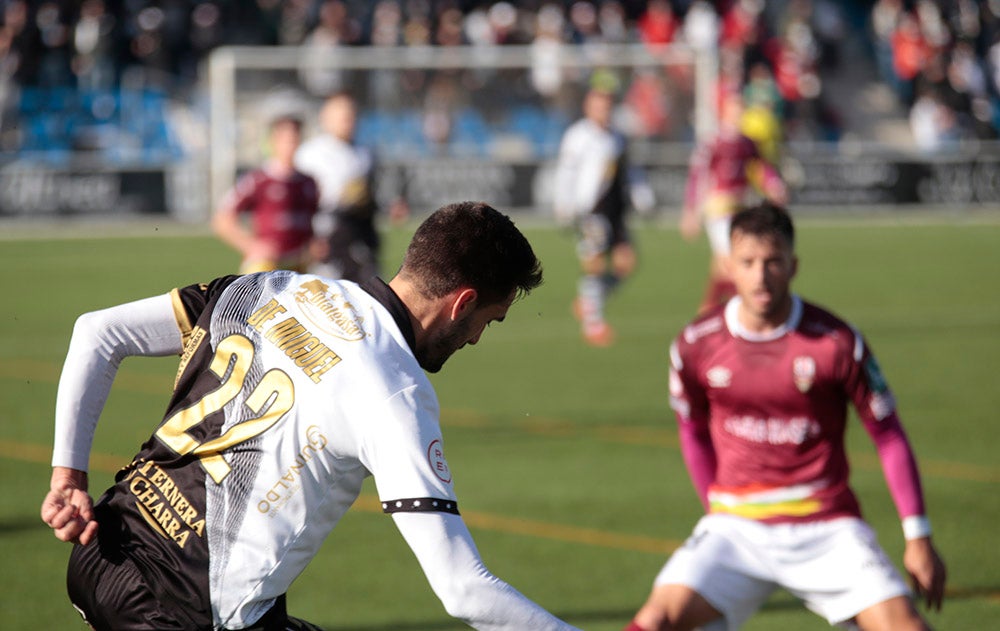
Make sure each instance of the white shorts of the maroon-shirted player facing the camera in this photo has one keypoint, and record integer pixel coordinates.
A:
(837, 567)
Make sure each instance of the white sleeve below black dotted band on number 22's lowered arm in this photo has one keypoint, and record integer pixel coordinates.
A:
(467, 589)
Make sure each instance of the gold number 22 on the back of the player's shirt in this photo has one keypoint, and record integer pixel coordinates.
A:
(270, 399)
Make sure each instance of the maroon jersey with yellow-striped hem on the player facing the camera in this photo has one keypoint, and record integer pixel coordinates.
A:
(776, 410)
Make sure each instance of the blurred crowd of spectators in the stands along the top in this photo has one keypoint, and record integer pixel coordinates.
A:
(774, 52)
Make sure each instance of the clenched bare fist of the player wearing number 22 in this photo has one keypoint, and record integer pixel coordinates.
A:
(68, 509)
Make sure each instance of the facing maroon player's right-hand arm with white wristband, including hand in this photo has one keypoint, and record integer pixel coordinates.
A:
(876, 407)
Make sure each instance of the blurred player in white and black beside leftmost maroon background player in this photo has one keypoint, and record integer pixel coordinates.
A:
(348, 242)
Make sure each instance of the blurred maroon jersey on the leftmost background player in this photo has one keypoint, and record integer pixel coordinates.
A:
(282, 207)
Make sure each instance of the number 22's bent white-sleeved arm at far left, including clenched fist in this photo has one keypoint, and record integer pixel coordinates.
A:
(100, 341)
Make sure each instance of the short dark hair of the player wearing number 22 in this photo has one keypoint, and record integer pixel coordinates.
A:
(471, 244)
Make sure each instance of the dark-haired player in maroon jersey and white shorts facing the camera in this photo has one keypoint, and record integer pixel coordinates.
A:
(760, 388)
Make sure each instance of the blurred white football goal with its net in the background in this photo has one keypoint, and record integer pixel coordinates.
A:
(462, 105)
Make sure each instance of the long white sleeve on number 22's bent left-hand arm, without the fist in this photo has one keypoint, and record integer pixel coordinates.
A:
(100, 341)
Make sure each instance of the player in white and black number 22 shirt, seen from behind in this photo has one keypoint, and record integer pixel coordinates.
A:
(291, 390)
